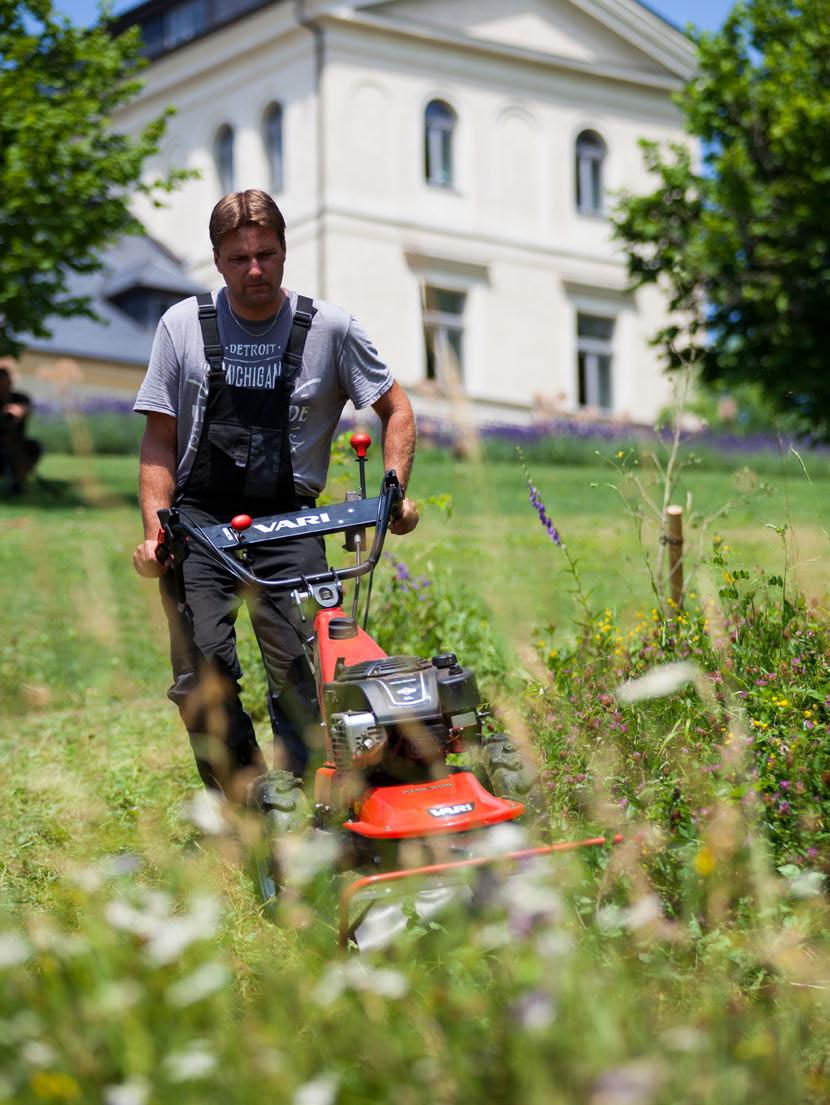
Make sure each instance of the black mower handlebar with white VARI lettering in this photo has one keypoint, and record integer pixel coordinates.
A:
(178, 532)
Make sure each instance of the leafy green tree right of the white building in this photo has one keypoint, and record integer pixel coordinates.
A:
(740, 236)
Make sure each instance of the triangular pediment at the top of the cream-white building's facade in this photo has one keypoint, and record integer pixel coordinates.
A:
(619, 34)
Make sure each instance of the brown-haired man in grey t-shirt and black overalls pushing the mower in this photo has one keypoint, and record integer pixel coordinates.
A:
(250, 433)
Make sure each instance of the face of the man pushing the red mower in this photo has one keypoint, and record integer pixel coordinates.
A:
(253, 262)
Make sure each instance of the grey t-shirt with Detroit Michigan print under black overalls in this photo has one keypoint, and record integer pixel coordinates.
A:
(340, 363)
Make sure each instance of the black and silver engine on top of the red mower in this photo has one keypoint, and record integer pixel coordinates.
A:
(400, 712)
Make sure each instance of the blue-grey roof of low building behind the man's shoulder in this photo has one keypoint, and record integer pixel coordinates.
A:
(135, 262)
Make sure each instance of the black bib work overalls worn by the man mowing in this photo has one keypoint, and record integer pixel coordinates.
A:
(243, 467)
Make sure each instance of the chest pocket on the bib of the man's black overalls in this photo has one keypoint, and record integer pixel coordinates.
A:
(245, 460)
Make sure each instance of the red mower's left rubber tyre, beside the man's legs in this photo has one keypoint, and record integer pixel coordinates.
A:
(281, 799)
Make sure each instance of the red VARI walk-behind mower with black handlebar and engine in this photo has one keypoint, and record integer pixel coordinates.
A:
(409, 823)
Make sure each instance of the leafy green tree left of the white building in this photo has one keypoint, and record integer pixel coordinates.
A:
(67, 176)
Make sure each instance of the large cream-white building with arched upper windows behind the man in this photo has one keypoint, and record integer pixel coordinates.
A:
(445, 167)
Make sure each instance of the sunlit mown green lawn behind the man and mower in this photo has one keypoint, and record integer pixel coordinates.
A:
(92, 748)
